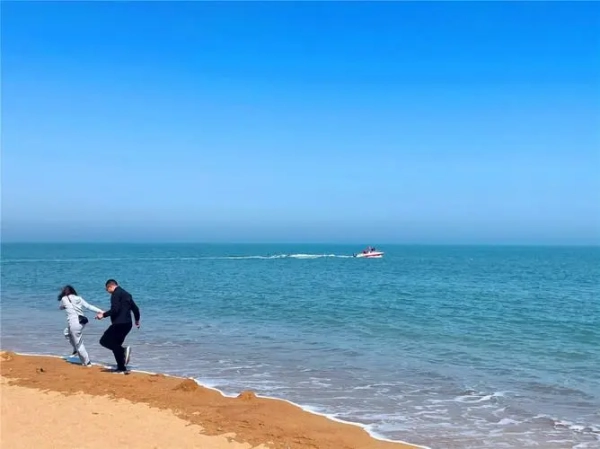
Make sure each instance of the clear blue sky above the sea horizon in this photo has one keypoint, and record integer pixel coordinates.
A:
(473, 122)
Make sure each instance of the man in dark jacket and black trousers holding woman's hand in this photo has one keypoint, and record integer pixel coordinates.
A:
(121, 308)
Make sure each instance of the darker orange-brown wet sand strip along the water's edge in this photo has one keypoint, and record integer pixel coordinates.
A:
(254, 419)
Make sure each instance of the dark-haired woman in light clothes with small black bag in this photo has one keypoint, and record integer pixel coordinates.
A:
(71, 303)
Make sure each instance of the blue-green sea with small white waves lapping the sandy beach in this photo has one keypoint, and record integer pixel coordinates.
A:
(449, 347)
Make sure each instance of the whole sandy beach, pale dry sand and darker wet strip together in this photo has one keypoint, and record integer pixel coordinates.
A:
(43, 396)
